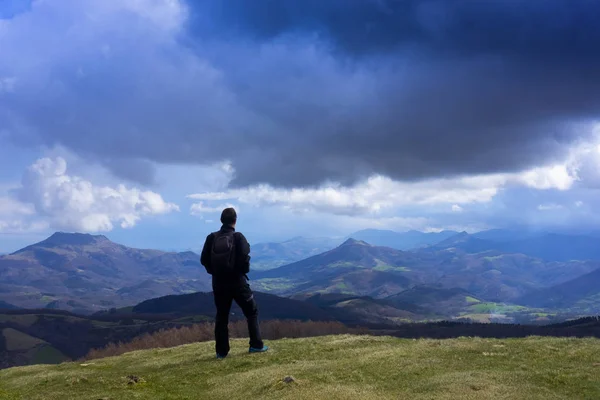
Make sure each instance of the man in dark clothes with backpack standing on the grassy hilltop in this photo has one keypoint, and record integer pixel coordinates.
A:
(226, 256)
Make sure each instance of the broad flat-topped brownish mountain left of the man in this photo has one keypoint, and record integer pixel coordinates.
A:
(85, 273)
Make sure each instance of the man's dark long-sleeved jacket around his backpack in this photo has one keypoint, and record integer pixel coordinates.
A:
(242, 259)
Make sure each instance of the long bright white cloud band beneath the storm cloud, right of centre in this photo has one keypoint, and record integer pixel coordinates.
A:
(378, 193)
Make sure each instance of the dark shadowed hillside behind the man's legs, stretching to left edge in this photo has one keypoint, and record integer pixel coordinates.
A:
(30, 335)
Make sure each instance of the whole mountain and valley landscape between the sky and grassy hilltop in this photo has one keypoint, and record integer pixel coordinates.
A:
(72, 293)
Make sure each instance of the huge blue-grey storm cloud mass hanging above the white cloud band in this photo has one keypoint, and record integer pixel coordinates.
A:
(296, 93)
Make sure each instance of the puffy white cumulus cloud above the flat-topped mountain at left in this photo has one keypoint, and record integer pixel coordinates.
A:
(70, 202)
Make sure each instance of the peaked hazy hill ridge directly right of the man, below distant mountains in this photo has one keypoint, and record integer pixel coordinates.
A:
(360, 269)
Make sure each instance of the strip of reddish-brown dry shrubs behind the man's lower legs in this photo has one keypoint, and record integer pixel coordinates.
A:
(270, 330)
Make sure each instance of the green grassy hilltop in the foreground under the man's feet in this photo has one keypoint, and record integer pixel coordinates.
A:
(334, 367)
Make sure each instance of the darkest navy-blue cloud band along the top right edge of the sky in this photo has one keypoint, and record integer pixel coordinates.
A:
(552, 29)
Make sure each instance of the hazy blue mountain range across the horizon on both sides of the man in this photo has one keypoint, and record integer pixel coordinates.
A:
(87, 273)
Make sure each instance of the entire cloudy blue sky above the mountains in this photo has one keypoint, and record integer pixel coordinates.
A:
(142, 119)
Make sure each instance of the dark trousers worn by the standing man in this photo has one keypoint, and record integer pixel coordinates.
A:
(244, 297)
